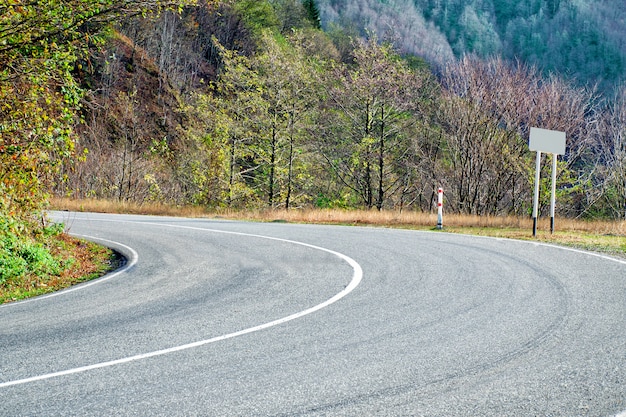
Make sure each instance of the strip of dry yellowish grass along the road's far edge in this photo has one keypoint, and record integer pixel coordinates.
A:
(607, 237)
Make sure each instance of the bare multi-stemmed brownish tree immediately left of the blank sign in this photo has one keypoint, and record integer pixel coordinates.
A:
(487, 157)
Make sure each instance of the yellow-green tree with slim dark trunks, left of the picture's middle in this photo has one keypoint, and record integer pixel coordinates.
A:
(261, 113)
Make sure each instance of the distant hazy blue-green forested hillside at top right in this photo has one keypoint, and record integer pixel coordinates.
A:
(582, 40)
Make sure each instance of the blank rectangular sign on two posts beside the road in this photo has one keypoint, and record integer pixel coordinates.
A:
(549, 141)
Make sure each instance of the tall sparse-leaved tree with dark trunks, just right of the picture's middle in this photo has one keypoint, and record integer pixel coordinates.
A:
(374, 101)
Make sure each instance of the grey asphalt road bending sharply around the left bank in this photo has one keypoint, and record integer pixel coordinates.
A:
(221, 318)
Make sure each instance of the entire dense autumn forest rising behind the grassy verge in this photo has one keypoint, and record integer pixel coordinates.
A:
(264, 104)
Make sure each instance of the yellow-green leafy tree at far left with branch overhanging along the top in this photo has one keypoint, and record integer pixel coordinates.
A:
(42, 44)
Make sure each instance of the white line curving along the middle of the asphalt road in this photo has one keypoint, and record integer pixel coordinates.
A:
(357, 276)
